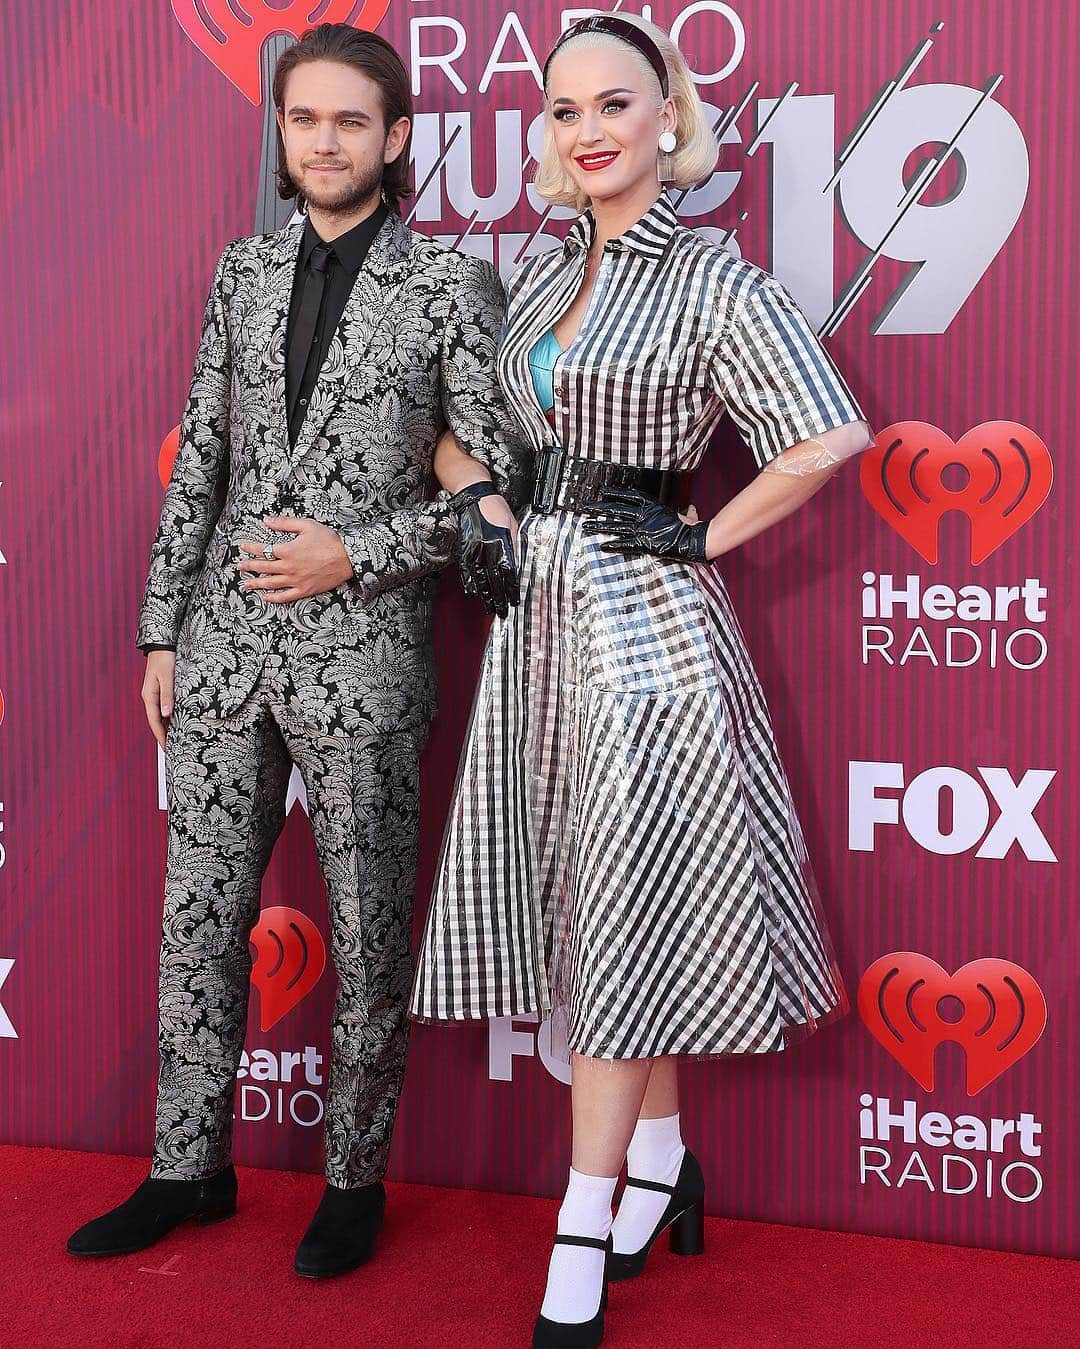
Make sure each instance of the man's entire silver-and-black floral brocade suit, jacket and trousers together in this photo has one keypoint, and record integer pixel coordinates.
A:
(342, 685)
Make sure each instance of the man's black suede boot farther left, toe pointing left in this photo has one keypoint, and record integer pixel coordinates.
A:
(156, 1208)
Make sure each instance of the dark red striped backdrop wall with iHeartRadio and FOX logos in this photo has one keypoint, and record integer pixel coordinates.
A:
(909, 173)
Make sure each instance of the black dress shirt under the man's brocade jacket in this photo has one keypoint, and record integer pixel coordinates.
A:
(347, 256)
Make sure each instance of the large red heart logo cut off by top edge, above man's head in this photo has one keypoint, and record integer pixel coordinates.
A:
(231, 33)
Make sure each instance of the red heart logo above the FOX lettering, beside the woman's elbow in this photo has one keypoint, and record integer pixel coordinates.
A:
(998, 474)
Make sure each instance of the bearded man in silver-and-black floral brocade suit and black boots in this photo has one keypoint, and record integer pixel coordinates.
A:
(288, 620)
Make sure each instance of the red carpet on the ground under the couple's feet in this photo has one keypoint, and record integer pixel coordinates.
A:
(464, 1270)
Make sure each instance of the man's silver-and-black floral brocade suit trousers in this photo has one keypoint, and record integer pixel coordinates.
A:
(227, 787)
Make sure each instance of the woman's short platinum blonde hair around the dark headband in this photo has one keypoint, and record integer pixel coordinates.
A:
(696, 150)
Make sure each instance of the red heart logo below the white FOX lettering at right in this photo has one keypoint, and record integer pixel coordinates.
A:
(1004, 1014)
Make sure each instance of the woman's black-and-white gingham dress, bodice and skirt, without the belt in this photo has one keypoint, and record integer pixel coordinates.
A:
(622, 841)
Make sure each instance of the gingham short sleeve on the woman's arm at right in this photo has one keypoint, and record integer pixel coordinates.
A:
(777, 380)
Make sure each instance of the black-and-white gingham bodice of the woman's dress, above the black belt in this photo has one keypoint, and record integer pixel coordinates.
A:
(678, 333)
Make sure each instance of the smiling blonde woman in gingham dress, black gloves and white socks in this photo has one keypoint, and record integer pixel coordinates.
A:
(622, 844)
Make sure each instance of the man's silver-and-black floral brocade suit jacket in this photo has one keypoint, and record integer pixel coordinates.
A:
(415, 353)
